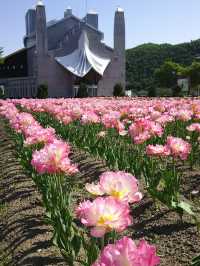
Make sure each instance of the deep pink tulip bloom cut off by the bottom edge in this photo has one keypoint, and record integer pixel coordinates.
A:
(125, 253)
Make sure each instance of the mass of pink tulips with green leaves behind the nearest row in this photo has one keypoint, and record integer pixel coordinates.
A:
(135, 136)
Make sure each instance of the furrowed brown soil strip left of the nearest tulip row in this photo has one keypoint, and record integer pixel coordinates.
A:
(25, 239)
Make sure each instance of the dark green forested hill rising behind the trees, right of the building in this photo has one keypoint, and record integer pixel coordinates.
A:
(144, 59)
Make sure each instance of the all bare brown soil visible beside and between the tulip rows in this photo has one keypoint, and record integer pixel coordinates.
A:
(29, 239)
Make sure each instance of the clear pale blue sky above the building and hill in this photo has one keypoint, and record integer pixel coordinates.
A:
(158, 21)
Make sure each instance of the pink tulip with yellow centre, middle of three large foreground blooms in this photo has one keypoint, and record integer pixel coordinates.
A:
(105, 215)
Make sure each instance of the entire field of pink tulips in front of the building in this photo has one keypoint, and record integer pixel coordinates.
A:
(143, 210)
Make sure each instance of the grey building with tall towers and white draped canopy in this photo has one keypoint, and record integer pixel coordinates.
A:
(63, 54)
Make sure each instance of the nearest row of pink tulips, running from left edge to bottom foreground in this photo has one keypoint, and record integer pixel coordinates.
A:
(47, 159)
